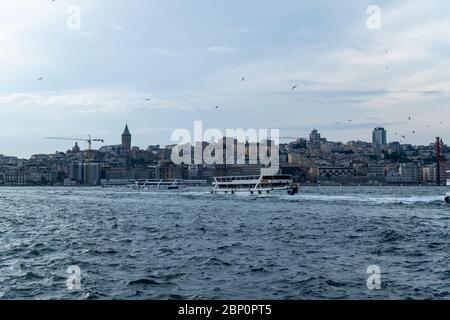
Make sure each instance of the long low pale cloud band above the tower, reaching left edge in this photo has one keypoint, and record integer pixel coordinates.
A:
(100, 102)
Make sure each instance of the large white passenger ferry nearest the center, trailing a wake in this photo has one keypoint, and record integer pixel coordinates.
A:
(254, 185)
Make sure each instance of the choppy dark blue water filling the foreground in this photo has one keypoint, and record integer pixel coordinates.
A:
(194, 245)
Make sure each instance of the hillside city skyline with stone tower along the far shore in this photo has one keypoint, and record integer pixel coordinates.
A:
(312, 160)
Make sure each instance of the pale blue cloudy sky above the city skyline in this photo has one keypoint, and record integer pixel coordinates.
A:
(189, 56)
